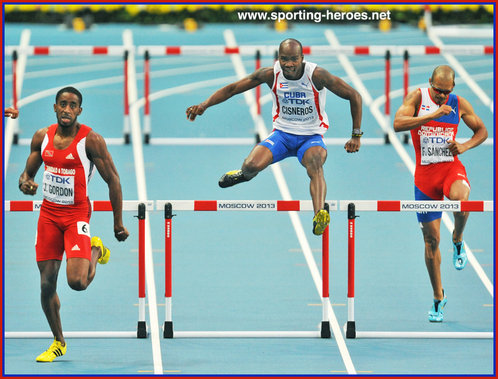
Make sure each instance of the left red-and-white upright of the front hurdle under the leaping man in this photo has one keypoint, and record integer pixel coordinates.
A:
(168, 323)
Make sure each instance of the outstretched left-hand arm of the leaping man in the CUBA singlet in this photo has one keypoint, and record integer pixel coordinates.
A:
(263, 75)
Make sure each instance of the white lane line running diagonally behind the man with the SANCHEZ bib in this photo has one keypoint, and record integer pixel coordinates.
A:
(375, 109)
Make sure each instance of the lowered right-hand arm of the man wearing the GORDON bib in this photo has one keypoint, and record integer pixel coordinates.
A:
(97, 152)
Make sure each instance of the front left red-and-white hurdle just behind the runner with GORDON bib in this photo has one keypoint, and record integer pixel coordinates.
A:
(102, 206)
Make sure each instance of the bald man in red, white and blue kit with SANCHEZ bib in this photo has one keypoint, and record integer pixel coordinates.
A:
(432, 116)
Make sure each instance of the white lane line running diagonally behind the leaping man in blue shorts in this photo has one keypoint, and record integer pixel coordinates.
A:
(296, 221)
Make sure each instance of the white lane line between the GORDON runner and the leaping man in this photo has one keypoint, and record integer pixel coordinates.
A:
(142, 196)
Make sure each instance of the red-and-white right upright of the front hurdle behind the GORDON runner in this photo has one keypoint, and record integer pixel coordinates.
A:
(142, 325)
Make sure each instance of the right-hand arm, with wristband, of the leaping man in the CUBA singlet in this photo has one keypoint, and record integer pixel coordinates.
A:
(323, 78)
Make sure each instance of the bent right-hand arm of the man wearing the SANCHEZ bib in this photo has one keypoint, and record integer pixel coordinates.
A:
(475, 123)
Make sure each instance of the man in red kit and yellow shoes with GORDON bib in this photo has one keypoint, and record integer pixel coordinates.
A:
(71, 151)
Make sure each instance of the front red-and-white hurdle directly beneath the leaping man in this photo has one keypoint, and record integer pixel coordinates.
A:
(241, 205)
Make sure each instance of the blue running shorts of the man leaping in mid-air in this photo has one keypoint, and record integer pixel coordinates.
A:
(283, 145)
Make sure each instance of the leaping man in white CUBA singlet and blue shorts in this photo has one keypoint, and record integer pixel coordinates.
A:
(299, 120)
